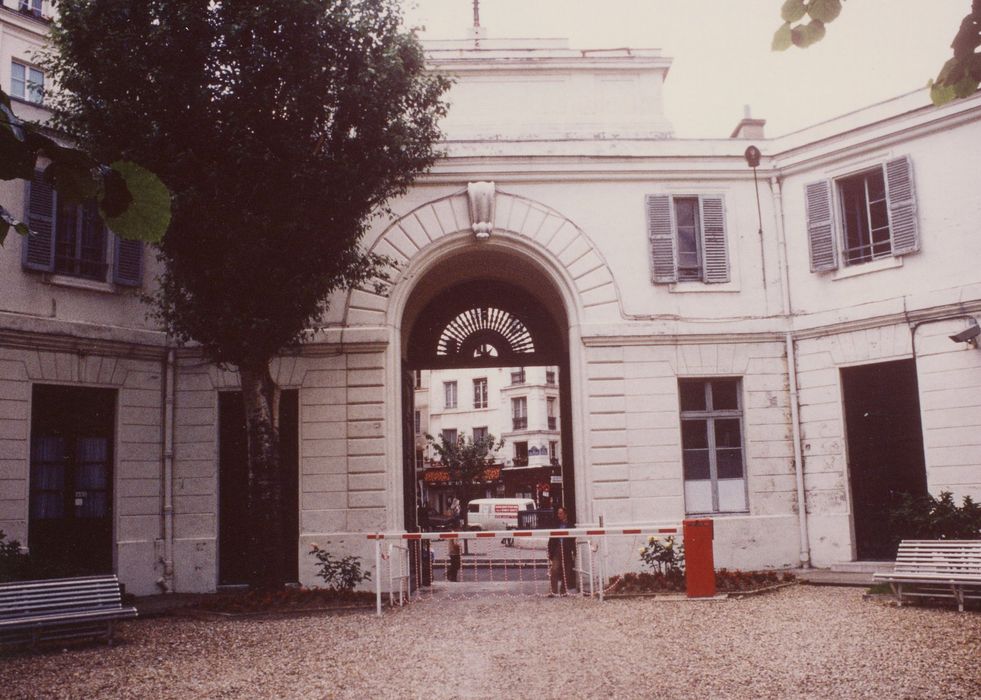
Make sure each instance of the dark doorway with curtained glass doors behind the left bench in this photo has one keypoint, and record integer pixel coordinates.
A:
(72, 440)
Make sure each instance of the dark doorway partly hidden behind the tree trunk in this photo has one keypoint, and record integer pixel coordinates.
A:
(233, 483)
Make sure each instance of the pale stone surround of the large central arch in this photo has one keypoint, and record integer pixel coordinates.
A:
(531, 248)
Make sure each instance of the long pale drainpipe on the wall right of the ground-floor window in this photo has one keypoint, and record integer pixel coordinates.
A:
(805, 542)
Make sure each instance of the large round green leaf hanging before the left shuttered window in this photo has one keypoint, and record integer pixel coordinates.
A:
(148, 215)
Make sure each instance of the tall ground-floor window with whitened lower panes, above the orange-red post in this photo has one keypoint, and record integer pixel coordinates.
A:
(712, 445)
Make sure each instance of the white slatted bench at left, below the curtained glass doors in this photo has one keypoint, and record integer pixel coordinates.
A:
(60, 609)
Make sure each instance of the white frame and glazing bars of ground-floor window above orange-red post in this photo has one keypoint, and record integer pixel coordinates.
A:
(693, 487)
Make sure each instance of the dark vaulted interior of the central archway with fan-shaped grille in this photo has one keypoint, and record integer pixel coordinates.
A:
(485, 306)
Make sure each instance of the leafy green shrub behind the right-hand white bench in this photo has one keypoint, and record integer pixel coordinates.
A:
(929, 518)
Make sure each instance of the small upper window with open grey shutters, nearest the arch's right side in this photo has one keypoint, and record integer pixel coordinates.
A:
(688, 239)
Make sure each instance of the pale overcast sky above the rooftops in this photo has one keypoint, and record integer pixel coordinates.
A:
(875, 50)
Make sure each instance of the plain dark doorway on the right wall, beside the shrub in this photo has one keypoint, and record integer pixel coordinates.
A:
(885, 449)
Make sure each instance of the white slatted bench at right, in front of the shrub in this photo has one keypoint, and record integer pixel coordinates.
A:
(936, 568)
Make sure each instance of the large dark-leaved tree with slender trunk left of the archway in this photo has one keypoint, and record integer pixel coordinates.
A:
(281, 128)
